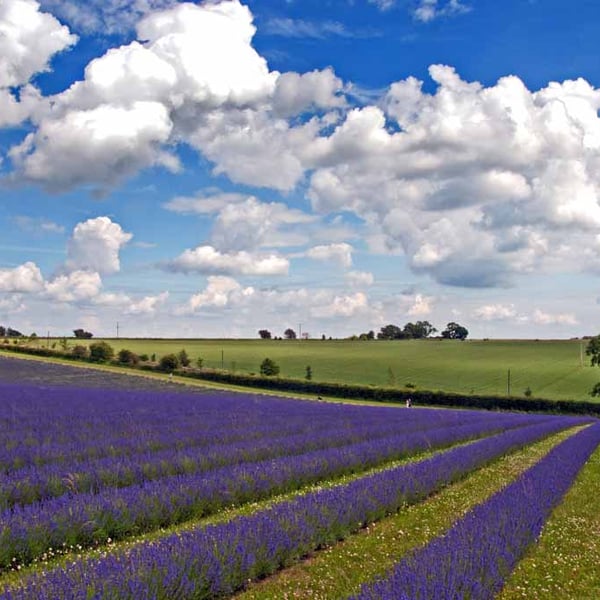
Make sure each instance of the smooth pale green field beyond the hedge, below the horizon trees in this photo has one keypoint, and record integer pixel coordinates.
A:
(556, 369)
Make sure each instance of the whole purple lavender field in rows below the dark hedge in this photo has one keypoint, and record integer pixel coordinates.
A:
(135, 489)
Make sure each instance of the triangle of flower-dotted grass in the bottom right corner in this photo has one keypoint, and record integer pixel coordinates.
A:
(564, 563)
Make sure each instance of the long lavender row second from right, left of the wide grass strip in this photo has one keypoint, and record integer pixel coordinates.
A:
(218, 559)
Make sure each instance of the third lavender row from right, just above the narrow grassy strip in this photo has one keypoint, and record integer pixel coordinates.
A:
(27, 531)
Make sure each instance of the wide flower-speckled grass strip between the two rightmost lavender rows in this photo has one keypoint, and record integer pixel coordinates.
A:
(339, 571)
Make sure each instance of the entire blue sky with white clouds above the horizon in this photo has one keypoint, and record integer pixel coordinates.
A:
(211, 169)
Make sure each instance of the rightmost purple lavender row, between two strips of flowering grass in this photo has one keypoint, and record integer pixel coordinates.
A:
(474, 558)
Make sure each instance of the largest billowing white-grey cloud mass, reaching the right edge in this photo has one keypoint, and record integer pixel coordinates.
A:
(478, 184)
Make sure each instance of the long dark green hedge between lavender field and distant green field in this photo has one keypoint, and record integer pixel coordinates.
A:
(357, 392)
